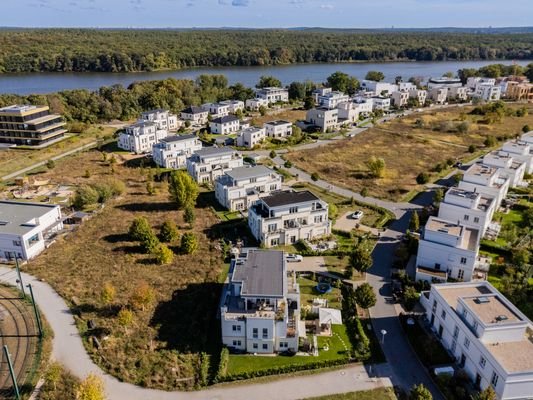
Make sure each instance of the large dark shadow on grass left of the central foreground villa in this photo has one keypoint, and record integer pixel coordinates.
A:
(187, 322)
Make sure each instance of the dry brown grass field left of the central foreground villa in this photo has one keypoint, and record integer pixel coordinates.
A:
(161, 348)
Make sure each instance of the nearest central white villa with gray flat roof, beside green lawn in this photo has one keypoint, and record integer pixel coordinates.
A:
(260, 305)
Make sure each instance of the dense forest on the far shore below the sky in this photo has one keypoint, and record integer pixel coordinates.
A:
(35, 50)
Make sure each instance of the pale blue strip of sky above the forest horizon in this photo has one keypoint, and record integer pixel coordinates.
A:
(266, 13)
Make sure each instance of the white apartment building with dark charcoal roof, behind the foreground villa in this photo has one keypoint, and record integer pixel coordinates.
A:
(285, 217)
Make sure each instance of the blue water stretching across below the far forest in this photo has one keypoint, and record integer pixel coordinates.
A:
(29, 83)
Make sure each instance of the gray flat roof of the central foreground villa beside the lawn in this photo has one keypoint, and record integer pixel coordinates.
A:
(261, 273)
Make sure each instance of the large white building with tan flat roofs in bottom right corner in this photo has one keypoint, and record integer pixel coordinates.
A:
(488, 336)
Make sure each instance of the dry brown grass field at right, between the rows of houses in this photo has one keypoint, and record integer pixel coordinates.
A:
(407, 150)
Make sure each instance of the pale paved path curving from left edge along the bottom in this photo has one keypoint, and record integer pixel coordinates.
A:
(68, 350)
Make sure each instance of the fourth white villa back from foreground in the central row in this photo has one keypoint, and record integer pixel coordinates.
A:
(209, 163)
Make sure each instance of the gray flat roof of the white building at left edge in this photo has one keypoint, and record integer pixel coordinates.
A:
(15, 216)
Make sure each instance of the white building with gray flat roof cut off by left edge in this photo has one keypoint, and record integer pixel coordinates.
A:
(26, 228)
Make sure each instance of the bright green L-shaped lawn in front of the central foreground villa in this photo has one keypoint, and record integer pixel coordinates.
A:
(240, 364)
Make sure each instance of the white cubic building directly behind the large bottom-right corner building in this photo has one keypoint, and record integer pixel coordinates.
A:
(446, 249)
